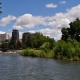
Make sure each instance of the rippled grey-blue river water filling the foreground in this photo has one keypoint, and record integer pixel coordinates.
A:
(16, 67)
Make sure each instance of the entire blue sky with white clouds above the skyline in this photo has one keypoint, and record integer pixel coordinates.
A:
(45, 16)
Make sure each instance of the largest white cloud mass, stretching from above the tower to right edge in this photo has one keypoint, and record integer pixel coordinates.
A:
(57, 21)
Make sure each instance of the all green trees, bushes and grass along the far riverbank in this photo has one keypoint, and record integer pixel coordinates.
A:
(38, 45)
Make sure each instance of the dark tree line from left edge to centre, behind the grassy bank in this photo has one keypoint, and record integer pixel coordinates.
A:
(33, 41)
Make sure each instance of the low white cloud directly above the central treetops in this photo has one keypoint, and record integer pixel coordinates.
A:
(54, 33)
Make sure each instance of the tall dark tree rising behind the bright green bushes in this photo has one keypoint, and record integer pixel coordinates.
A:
(73, 32)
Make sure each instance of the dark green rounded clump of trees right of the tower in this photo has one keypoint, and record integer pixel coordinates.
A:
(35, 40)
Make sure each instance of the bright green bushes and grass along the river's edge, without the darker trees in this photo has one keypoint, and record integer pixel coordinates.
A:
(69, 50)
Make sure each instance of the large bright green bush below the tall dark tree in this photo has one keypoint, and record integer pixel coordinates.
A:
(67, 50)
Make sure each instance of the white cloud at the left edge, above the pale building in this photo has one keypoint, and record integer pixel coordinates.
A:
(5, 21)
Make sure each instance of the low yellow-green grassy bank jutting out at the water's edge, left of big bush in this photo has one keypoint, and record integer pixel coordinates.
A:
(37, 53)
